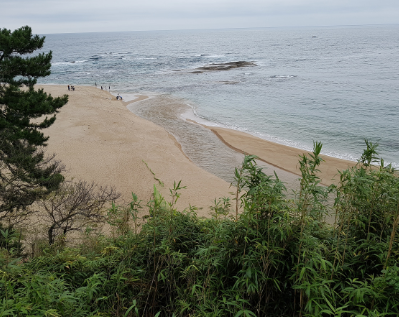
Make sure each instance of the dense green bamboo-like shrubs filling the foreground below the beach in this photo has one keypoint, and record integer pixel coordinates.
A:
(277, 257)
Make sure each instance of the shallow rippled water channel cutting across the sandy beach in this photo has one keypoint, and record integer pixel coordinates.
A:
(198, 143)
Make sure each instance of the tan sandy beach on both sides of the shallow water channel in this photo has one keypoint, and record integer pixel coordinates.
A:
(100, 140)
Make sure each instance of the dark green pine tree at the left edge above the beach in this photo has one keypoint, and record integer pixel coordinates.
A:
(26, 173)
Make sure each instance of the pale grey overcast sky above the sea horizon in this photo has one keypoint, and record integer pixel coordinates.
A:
(73, 16)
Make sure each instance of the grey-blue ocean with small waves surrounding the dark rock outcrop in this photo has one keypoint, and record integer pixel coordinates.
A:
(336, 85)
